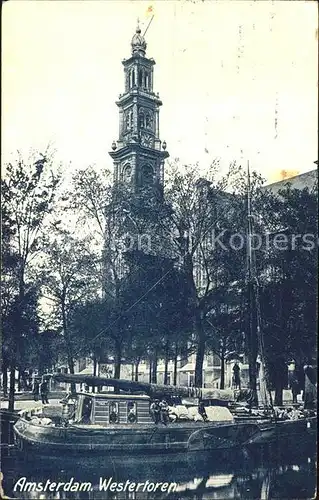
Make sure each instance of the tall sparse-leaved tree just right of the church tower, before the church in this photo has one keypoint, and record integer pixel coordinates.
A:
(193, 204)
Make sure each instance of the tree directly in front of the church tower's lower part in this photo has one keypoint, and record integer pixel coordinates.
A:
(118, 217)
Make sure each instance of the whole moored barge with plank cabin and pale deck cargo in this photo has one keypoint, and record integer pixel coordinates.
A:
(107, 423)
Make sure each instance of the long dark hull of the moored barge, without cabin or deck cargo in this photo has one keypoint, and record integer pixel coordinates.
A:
(150, 438)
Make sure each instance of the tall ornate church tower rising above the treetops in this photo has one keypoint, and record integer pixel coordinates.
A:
(139, 154)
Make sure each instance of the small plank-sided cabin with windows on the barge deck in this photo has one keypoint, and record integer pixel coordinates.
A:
(110, 409)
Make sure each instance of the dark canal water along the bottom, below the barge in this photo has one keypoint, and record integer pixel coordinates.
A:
(259, 474)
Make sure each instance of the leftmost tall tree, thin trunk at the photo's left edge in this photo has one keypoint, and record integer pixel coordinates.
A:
(28, 196)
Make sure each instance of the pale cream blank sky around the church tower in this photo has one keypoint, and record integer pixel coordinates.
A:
(238, 79)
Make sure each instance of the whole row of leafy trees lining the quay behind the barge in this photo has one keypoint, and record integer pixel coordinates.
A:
(96, 270)
